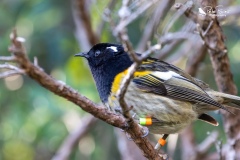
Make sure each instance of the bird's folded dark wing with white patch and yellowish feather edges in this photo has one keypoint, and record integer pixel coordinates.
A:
(177, 87)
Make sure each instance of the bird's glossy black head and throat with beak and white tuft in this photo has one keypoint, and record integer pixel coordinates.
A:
(106, 60)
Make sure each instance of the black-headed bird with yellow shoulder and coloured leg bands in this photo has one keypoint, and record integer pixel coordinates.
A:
(163, 96)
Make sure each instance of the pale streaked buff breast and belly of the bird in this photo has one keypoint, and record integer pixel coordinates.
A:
(172, 115)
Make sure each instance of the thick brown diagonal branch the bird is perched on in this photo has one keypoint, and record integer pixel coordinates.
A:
(72, 95)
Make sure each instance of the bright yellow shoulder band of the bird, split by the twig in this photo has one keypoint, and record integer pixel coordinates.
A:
(119, 77)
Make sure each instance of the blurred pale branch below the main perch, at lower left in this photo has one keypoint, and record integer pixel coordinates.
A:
(73, 138)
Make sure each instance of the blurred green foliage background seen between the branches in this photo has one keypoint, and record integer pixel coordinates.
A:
(34, 121)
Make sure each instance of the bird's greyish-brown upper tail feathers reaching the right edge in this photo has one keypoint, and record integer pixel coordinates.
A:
(226, 99)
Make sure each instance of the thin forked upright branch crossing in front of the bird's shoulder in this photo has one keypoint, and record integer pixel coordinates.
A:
(133, 127)
